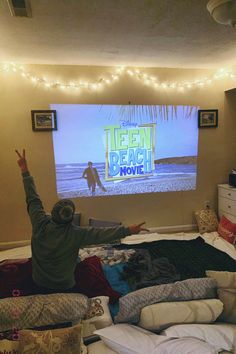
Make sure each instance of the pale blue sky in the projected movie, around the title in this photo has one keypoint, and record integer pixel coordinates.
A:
(80, 136)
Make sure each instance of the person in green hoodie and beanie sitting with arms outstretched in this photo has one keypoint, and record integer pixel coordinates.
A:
(56, 240)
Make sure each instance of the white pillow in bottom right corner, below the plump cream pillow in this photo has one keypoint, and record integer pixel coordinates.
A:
(221, 336)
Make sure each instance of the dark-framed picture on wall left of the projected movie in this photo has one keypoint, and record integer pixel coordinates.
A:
(44, 120)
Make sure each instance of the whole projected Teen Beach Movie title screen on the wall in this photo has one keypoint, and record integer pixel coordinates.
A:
(103, 150)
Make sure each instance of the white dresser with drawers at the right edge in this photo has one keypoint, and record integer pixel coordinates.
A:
(227, 201)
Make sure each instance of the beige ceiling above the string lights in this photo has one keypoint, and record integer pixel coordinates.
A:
(141, 33)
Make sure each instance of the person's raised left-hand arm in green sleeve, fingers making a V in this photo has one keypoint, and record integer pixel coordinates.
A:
(34, 204)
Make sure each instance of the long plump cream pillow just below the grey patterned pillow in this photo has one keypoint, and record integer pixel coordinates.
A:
(165, 314)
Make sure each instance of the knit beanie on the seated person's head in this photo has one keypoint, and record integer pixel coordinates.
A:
(63, 211)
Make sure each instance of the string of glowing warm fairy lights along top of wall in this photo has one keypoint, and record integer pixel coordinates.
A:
(101, 82)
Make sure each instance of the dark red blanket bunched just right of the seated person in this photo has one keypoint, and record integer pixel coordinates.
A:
(90, 280)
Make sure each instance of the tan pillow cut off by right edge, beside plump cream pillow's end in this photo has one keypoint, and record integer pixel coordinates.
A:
(228, 297)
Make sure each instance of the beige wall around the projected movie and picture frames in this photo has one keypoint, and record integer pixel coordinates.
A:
(19, 96)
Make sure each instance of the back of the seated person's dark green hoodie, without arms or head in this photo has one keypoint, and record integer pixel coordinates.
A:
(54, 255)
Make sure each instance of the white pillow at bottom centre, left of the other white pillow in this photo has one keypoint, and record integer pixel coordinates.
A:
(128, 339)
